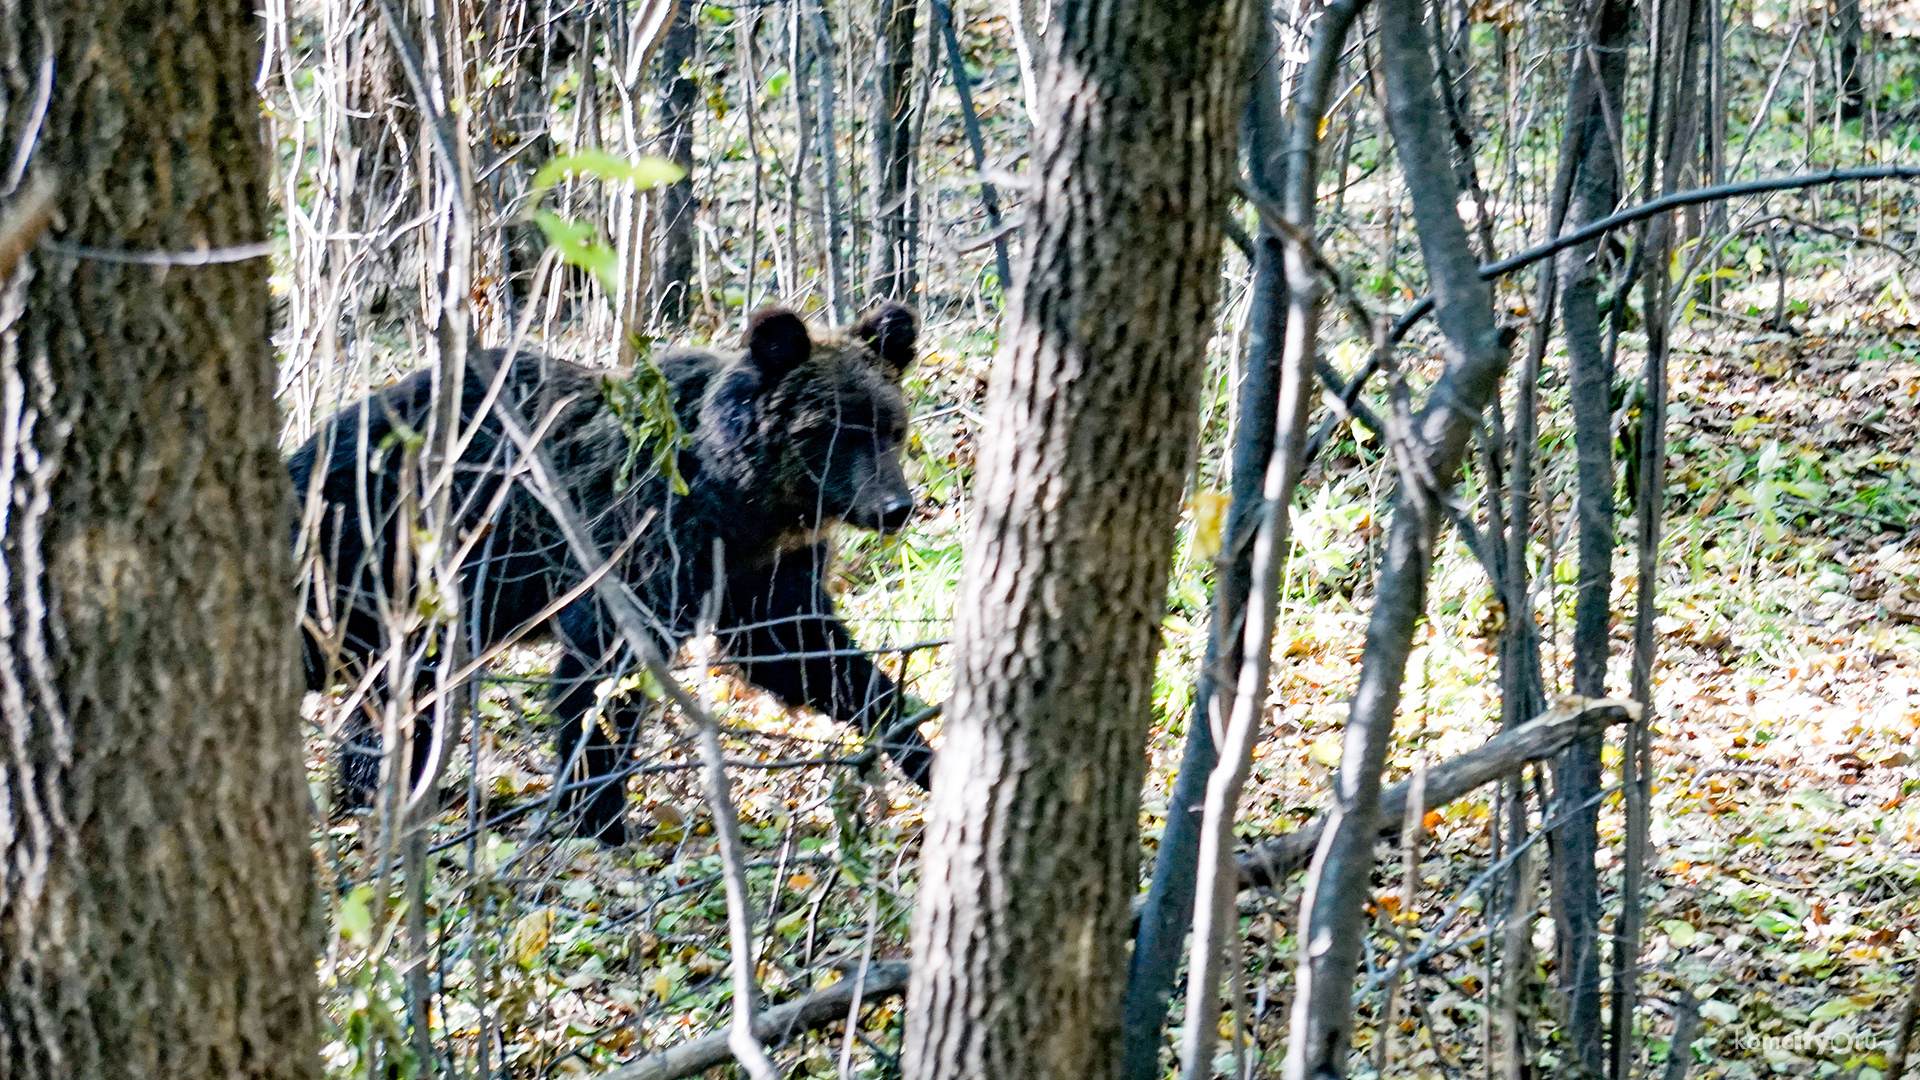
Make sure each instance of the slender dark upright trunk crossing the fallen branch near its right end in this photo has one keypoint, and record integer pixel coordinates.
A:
(1595, 97)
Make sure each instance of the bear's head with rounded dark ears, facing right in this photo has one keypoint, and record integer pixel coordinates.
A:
(811, 430)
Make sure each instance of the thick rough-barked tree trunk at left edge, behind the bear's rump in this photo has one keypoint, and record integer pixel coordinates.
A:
(156, 891)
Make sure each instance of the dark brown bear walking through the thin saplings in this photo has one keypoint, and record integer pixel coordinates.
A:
(784, 439)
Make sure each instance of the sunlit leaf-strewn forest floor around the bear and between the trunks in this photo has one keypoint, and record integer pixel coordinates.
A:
(1785, 891)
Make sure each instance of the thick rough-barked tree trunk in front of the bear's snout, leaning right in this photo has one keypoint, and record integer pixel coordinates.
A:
(1034, 831)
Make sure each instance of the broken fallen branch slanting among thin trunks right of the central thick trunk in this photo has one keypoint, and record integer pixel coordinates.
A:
(1547, 735)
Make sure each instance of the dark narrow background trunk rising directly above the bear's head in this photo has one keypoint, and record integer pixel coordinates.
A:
(890, 266)
